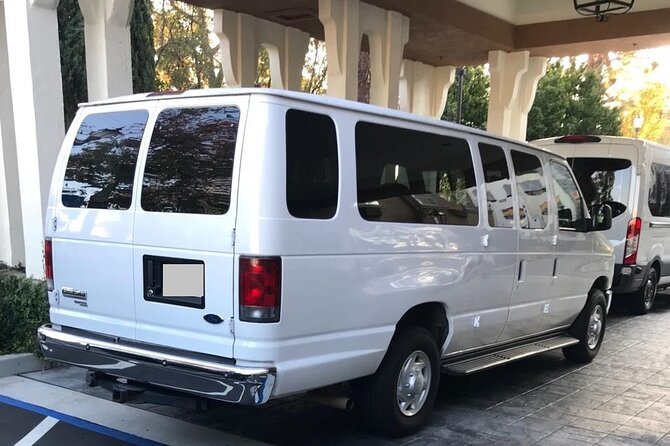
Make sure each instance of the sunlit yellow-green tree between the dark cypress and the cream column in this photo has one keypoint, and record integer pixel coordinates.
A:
(185, 57)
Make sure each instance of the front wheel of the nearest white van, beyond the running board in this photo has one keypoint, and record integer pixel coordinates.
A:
(589, 328)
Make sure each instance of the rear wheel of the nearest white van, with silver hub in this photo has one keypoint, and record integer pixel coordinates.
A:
(377, 403)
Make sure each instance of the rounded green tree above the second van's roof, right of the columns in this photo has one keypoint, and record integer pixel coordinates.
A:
(571, 101)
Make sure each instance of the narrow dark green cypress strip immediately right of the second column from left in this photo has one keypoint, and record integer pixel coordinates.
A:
(142, 47)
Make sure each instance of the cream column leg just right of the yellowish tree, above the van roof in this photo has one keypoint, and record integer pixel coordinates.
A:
(239, 49)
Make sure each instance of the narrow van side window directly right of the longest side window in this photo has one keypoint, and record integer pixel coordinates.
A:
(498, 186)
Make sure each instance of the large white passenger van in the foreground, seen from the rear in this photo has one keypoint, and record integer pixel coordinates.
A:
(244, 245)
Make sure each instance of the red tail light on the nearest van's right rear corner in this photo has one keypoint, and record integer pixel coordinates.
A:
(260, 289)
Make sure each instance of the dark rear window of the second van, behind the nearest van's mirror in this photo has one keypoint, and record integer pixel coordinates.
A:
(604, 180)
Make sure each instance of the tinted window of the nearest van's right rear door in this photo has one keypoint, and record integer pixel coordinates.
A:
(190, 161)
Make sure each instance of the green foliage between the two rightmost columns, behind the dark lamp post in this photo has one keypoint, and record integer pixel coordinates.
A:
(475, 98)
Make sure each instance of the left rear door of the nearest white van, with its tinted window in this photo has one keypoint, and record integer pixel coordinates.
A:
(90, 220)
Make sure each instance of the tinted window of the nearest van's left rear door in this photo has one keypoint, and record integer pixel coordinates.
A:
(101, 169)
